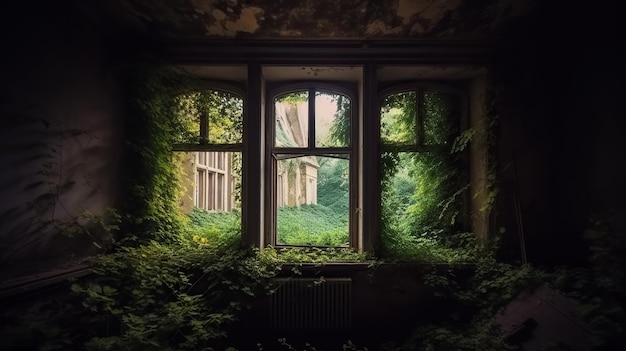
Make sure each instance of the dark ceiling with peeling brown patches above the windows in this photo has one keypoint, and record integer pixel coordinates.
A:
(327, 19)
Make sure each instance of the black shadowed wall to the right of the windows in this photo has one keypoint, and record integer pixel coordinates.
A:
(562, 120)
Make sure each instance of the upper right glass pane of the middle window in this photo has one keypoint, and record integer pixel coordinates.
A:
(332, 120)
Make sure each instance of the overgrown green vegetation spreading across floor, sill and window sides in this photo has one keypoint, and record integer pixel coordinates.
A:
(181, 282)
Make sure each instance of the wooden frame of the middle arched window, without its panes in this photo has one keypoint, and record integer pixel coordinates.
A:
(277, 88)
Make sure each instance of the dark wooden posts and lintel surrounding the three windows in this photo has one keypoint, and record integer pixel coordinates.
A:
(366, 88)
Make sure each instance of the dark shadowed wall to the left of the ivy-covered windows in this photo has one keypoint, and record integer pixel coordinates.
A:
(61, 132)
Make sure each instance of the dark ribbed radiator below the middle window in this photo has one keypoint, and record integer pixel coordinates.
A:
(304, 303)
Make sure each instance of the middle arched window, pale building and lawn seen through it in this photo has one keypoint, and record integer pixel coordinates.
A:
(312, 165)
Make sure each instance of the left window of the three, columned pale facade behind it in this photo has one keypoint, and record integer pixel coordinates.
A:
(209, 149)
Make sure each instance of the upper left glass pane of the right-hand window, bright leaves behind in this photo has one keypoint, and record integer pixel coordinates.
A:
(397, 119)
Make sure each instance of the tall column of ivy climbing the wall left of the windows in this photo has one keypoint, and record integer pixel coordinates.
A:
(151, 208)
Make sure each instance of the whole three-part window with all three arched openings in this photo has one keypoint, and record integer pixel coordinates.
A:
(355, 155)
